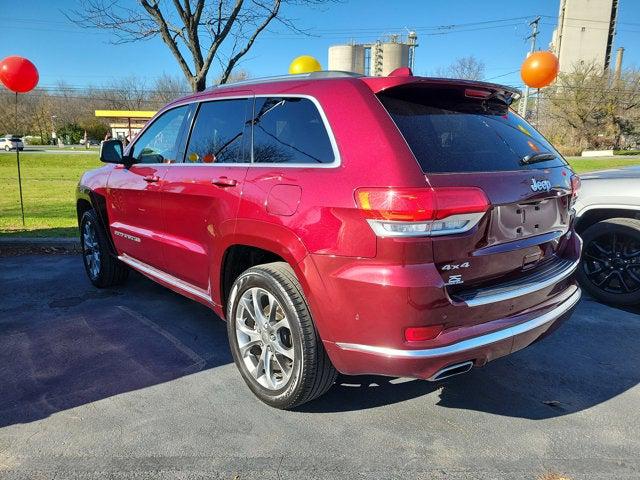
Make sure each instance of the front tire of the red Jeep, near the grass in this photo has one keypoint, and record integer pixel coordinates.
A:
(111, 271)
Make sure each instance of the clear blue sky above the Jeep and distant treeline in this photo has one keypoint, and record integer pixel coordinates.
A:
(63, 51)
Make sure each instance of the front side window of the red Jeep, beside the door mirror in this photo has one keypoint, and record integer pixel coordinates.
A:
(159, 143)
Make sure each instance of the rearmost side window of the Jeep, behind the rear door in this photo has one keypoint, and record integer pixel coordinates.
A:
(289, 130)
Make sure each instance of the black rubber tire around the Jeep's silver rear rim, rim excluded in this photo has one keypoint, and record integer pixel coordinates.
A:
(312, 372)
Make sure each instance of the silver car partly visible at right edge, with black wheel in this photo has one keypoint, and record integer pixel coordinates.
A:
(608, 219)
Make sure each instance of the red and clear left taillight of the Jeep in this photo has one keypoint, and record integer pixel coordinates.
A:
(421, 211)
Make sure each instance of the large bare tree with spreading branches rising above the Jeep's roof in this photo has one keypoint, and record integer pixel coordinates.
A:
(220, 30)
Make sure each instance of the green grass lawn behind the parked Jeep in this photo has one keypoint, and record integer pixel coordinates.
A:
(49, 181)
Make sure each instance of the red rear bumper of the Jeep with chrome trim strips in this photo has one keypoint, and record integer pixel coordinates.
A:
(373, 302)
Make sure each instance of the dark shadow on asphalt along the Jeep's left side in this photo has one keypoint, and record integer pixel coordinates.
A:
(64, 343)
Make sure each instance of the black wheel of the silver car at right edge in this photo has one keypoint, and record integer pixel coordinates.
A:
(598, 251)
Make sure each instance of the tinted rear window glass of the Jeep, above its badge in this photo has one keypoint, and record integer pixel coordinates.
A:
(448, 132)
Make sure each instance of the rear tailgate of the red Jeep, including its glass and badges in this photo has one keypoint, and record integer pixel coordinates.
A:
(463, 135)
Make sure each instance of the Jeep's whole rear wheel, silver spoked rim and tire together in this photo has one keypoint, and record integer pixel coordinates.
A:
(275, 345)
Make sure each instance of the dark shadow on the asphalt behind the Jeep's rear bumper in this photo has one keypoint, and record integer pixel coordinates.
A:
(592, 358)
